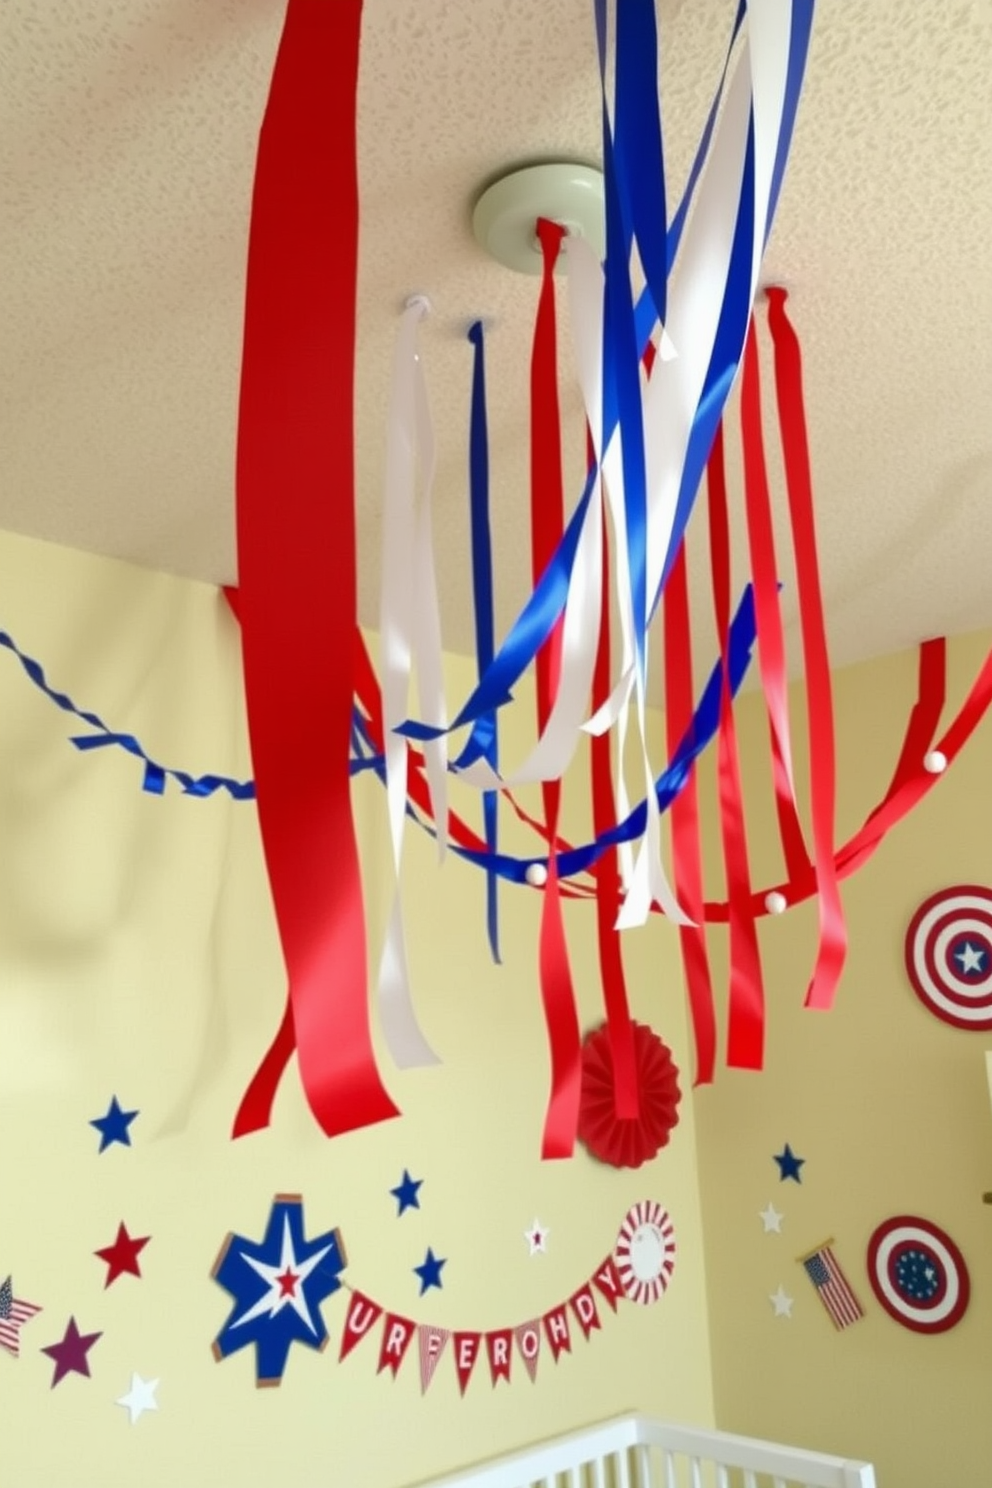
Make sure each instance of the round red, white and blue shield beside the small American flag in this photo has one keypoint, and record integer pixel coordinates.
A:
(918, 1274)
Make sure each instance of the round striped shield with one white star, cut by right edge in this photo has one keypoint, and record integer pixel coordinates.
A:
(950, 956)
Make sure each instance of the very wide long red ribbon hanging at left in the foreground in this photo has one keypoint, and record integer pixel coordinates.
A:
(295, 520)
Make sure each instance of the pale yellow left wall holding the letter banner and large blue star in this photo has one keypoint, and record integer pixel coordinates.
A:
(139, 956)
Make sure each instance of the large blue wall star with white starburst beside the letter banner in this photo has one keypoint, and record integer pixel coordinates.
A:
(279, 1286)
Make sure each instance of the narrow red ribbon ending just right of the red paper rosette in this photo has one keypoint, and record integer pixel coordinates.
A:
(685, 821)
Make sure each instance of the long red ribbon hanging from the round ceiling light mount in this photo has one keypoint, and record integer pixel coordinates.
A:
(561, 1120)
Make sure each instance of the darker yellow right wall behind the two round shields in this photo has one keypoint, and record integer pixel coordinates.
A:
(889, 1106)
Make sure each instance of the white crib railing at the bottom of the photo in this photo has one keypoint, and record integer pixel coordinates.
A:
(639, 1453)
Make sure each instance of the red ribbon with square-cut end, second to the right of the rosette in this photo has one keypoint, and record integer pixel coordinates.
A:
(746, 1022)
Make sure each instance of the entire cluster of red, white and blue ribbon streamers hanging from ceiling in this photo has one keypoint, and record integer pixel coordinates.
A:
(655, 371)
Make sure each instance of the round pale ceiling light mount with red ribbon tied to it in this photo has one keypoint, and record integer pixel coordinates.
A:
(505, 218)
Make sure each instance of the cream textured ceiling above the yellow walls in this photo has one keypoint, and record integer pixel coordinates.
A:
(130, 132)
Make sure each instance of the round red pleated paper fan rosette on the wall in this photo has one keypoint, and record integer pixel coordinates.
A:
(628, 1144)
